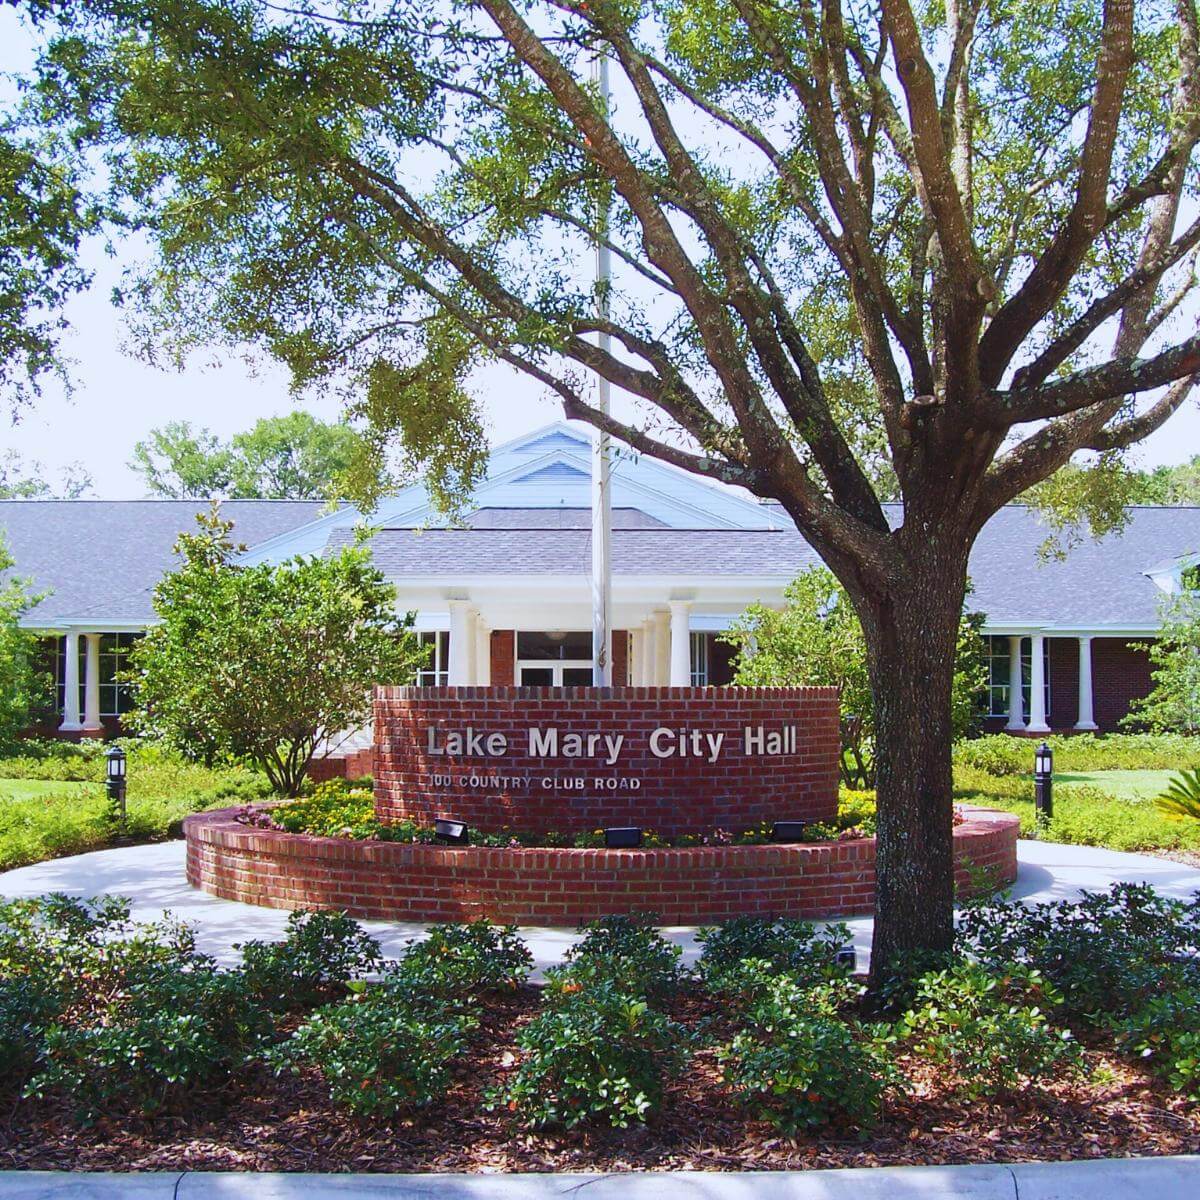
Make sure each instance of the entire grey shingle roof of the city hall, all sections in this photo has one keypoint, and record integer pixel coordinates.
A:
(101, 559)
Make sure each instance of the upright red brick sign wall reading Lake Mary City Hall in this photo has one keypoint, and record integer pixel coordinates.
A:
(673, 794)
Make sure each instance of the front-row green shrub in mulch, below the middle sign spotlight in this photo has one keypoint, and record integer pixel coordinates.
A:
(598, 1054)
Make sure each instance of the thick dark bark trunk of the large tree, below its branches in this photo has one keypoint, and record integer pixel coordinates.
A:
(911, 639)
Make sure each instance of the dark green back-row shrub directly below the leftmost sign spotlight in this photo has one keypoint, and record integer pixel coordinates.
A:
(463, 963)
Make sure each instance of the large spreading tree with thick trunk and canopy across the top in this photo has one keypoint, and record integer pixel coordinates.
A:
(859, 250)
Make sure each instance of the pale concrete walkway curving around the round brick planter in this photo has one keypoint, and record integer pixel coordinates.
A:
(153, 878)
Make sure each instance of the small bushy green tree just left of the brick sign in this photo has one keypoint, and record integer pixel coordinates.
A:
(266, 662)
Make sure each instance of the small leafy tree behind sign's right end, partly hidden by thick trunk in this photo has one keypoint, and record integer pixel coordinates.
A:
(817, 640)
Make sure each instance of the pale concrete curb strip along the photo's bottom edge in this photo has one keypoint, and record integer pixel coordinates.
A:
(1166, 1179)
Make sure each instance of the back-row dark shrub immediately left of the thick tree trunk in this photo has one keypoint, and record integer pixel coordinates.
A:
(797, 949)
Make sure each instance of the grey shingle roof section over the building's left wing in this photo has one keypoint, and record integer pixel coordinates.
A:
(104, 557)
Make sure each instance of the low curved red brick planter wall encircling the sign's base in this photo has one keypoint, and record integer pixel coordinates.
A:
(394, 881)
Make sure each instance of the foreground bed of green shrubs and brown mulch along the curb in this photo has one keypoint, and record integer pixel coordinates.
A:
(1058, 1031)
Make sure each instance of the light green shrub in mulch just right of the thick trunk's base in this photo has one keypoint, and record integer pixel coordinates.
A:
(988, 1029)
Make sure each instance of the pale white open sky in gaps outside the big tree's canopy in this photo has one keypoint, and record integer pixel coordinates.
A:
(118, 400)
